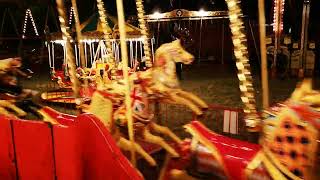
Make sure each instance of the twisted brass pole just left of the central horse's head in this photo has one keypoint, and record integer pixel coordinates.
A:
(144, 32)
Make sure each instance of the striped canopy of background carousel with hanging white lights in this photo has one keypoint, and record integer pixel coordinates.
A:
(94, 45)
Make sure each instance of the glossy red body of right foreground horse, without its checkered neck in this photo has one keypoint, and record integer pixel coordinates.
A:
(223, 156)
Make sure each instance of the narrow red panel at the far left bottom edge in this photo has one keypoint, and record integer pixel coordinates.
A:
(7, 166)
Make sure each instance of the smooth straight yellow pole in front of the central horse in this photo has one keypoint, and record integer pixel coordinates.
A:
(124, 57)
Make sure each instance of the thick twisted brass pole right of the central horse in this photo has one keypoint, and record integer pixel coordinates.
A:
(243, 66)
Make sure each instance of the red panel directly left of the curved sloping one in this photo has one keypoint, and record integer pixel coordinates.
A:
(67, 153)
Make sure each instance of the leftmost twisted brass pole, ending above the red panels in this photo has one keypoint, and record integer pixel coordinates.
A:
(69, 55)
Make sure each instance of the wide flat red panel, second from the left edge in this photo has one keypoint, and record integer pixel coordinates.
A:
(33, 144)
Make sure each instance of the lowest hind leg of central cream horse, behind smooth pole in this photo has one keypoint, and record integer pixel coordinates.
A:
(126, 145)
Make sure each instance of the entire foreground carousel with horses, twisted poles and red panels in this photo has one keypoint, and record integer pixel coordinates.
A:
(117, 129)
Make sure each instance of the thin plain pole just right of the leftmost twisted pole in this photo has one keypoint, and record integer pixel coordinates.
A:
(79, 34)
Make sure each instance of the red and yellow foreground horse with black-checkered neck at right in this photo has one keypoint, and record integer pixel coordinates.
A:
(287, 150)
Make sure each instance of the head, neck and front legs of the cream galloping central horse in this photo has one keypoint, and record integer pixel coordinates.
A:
(160, 81)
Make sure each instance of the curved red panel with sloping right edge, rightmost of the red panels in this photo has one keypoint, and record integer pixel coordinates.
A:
(102, 159)
